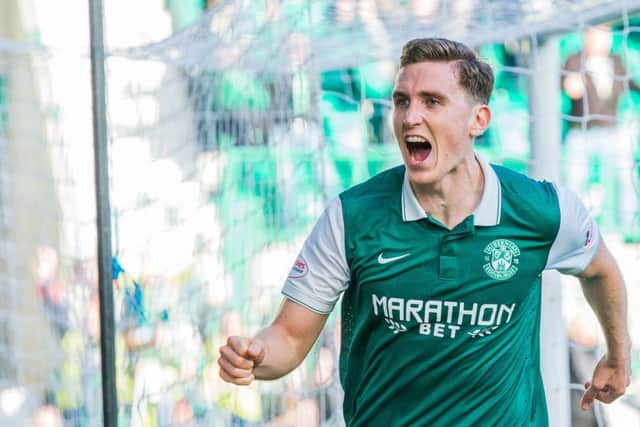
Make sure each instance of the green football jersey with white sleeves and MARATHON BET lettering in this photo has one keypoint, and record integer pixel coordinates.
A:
(441, 327)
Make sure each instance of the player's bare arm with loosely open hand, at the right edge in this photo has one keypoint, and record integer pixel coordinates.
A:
(604, 289)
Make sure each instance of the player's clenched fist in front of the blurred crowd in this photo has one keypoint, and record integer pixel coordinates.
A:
(238, 358)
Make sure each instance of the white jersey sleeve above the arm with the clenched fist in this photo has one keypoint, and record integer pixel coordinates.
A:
(320, 273)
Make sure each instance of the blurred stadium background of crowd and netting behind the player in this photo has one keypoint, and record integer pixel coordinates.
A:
(230, 125)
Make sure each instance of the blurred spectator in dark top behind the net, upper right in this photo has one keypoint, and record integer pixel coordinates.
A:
(595, 81)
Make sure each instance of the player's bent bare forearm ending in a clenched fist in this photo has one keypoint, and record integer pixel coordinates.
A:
(276, 350)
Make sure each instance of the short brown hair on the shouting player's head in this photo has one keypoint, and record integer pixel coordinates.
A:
(474, 75)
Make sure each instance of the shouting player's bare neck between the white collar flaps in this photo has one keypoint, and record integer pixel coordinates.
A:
(456, 196)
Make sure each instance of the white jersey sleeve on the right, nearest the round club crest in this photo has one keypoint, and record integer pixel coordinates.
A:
(578, 237)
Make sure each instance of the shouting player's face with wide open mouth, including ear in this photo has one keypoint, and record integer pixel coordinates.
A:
(434, 120)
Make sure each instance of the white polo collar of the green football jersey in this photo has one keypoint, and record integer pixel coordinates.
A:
(486, 214)
